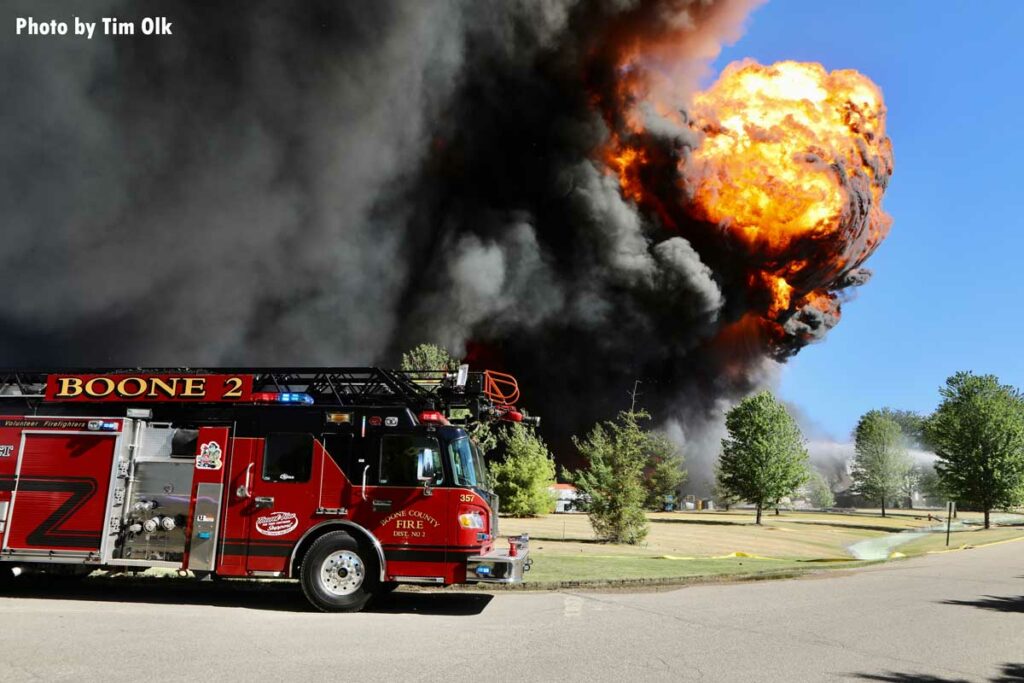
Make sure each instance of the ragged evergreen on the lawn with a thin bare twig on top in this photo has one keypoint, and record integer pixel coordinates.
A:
(613, 485)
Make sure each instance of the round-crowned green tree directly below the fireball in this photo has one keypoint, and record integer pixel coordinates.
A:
(763, 457)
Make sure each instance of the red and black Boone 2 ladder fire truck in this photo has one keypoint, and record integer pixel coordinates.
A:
(352, 481)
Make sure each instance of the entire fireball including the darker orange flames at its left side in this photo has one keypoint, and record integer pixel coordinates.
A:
(790, 167)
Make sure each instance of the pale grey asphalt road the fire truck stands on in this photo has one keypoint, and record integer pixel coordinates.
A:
(944, 618)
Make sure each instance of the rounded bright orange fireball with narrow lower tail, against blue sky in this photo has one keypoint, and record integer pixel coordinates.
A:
(793, 163)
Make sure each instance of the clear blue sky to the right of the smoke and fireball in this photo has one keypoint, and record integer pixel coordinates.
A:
(948, 289)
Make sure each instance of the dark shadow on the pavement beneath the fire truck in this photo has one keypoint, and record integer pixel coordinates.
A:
(283, 596)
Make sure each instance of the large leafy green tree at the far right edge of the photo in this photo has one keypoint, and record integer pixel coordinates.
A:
(978, 437)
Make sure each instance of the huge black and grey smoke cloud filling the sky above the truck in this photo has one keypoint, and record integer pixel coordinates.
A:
(332, 183)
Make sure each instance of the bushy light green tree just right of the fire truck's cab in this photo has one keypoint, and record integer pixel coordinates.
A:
(523, 480)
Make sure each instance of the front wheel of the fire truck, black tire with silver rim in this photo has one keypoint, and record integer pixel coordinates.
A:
(338, 575)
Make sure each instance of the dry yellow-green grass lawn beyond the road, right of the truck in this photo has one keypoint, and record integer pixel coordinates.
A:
(698, 544)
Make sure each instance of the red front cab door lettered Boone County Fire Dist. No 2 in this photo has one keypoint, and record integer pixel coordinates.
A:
(411, 521)
